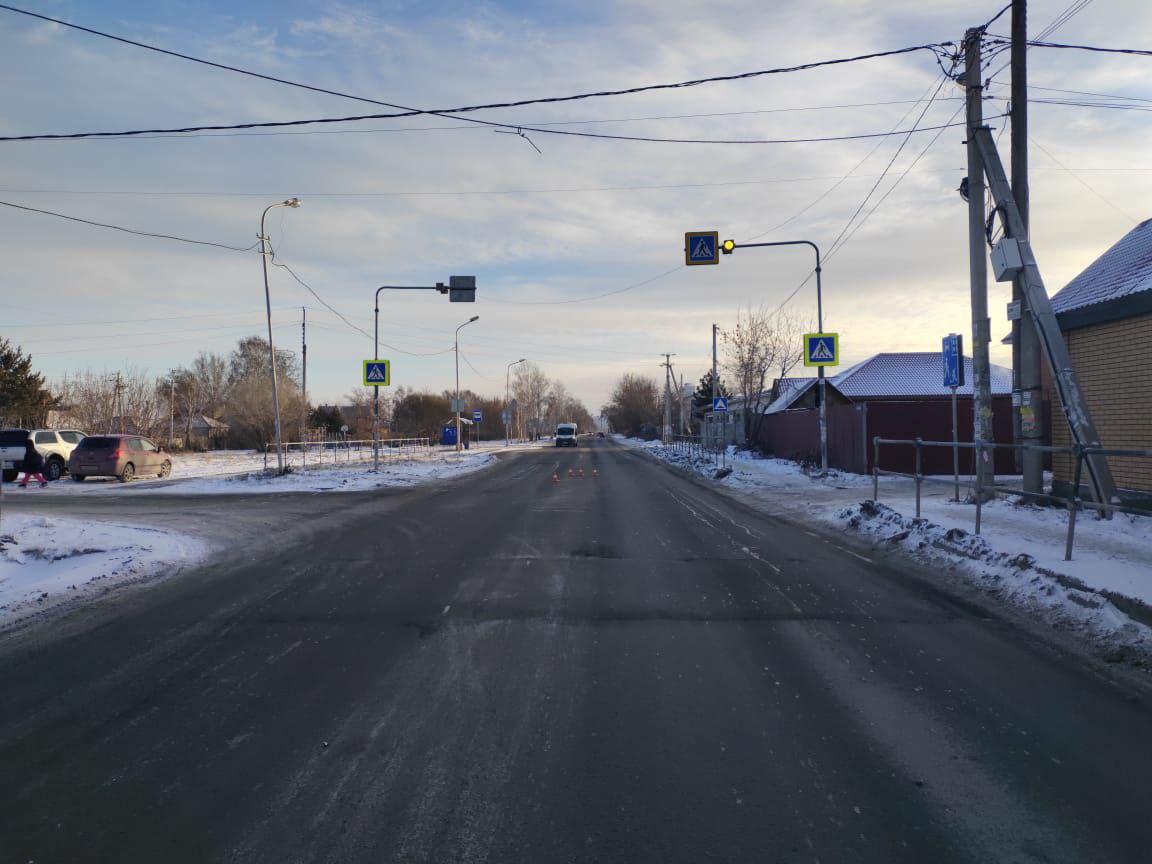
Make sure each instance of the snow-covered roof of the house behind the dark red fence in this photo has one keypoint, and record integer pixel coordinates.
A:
(911, 374)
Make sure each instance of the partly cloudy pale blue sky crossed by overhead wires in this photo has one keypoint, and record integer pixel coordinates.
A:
(416, 200)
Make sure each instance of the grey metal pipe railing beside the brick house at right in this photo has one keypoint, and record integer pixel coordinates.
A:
(1074, 502)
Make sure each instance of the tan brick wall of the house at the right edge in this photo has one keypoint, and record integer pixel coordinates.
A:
(1115, 365)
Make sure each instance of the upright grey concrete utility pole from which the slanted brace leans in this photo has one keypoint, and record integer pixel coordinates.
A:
(979, 266)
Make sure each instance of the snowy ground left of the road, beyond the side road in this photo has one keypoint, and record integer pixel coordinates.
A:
(236, 472)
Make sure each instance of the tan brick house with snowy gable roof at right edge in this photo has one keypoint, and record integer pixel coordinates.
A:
(1106, 317)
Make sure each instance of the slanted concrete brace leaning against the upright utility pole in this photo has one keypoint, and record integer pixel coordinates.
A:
(1040, 308)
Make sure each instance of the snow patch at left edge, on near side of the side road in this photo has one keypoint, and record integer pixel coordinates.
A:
(46, 562)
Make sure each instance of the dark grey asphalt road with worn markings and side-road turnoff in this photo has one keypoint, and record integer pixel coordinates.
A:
(628, 668)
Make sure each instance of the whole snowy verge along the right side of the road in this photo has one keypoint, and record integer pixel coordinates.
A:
(1104, 593)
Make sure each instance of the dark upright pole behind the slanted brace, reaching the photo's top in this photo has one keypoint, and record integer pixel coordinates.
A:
(1026, 346)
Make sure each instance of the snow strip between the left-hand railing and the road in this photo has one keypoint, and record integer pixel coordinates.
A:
(357, 478)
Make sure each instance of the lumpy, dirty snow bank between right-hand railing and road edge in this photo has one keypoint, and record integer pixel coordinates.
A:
(1063, 601)
